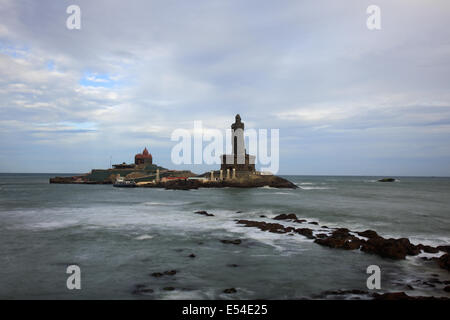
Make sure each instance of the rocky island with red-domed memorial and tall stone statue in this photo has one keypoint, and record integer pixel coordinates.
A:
(237, 170)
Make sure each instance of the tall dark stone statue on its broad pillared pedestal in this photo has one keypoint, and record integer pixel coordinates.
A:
(239, 163)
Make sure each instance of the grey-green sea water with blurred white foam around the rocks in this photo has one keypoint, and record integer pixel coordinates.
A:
(120, 236)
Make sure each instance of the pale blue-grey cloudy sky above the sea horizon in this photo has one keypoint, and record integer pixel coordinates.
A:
(346, 100)
